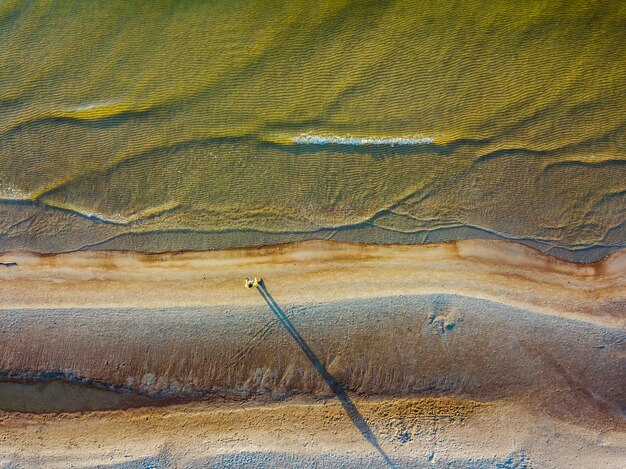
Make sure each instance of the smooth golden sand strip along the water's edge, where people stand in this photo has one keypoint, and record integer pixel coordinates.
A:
(320, 271)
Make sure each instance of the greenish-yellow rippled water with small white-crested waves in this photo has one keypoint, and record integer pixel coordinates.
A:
(197, 125)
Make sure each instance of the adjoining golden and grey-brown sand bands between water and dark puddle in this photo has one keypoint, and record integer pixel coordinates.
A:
(476, 319)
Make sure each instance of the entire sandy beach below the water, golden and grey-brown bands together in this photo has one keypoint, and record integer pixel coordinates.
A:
(472, 354)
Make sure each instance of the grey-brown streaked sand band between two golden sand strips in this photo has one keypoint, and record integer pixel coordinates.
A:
(430, 345)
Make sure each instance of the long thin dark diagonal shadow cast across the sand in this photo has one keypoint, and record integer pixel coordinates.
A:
(337, 389)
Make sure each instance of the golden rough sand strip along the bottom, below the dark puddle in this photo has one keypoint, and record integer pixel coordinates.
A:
(413, 433)
